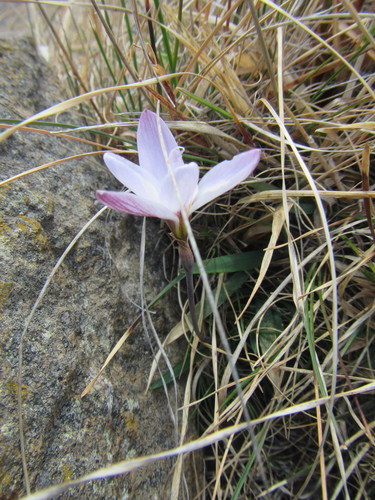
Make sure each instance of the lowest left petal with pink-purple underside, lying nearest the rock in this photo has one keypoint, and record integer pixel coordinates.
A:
(135, 205)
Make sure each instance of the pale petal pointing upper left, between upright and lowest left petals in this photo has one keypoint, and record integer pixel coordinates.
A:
(131, 176)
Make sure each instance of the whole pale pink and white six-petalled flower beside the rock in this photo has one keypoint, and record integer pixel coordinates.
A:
(153, 189)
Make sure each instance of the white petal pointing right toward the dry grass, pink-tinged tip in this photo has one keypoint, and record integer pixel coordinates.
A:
(225, 176)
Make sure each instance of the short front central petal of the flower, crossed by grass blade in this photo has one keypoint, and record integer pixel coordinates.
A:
(187, 177)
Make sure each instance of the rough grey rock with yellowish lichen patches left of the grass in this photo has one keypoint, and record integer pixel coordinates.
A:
(87, 307)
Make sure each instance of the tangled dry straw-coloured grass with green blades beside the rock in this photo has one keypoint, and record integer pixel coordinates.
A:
(295, 80)
